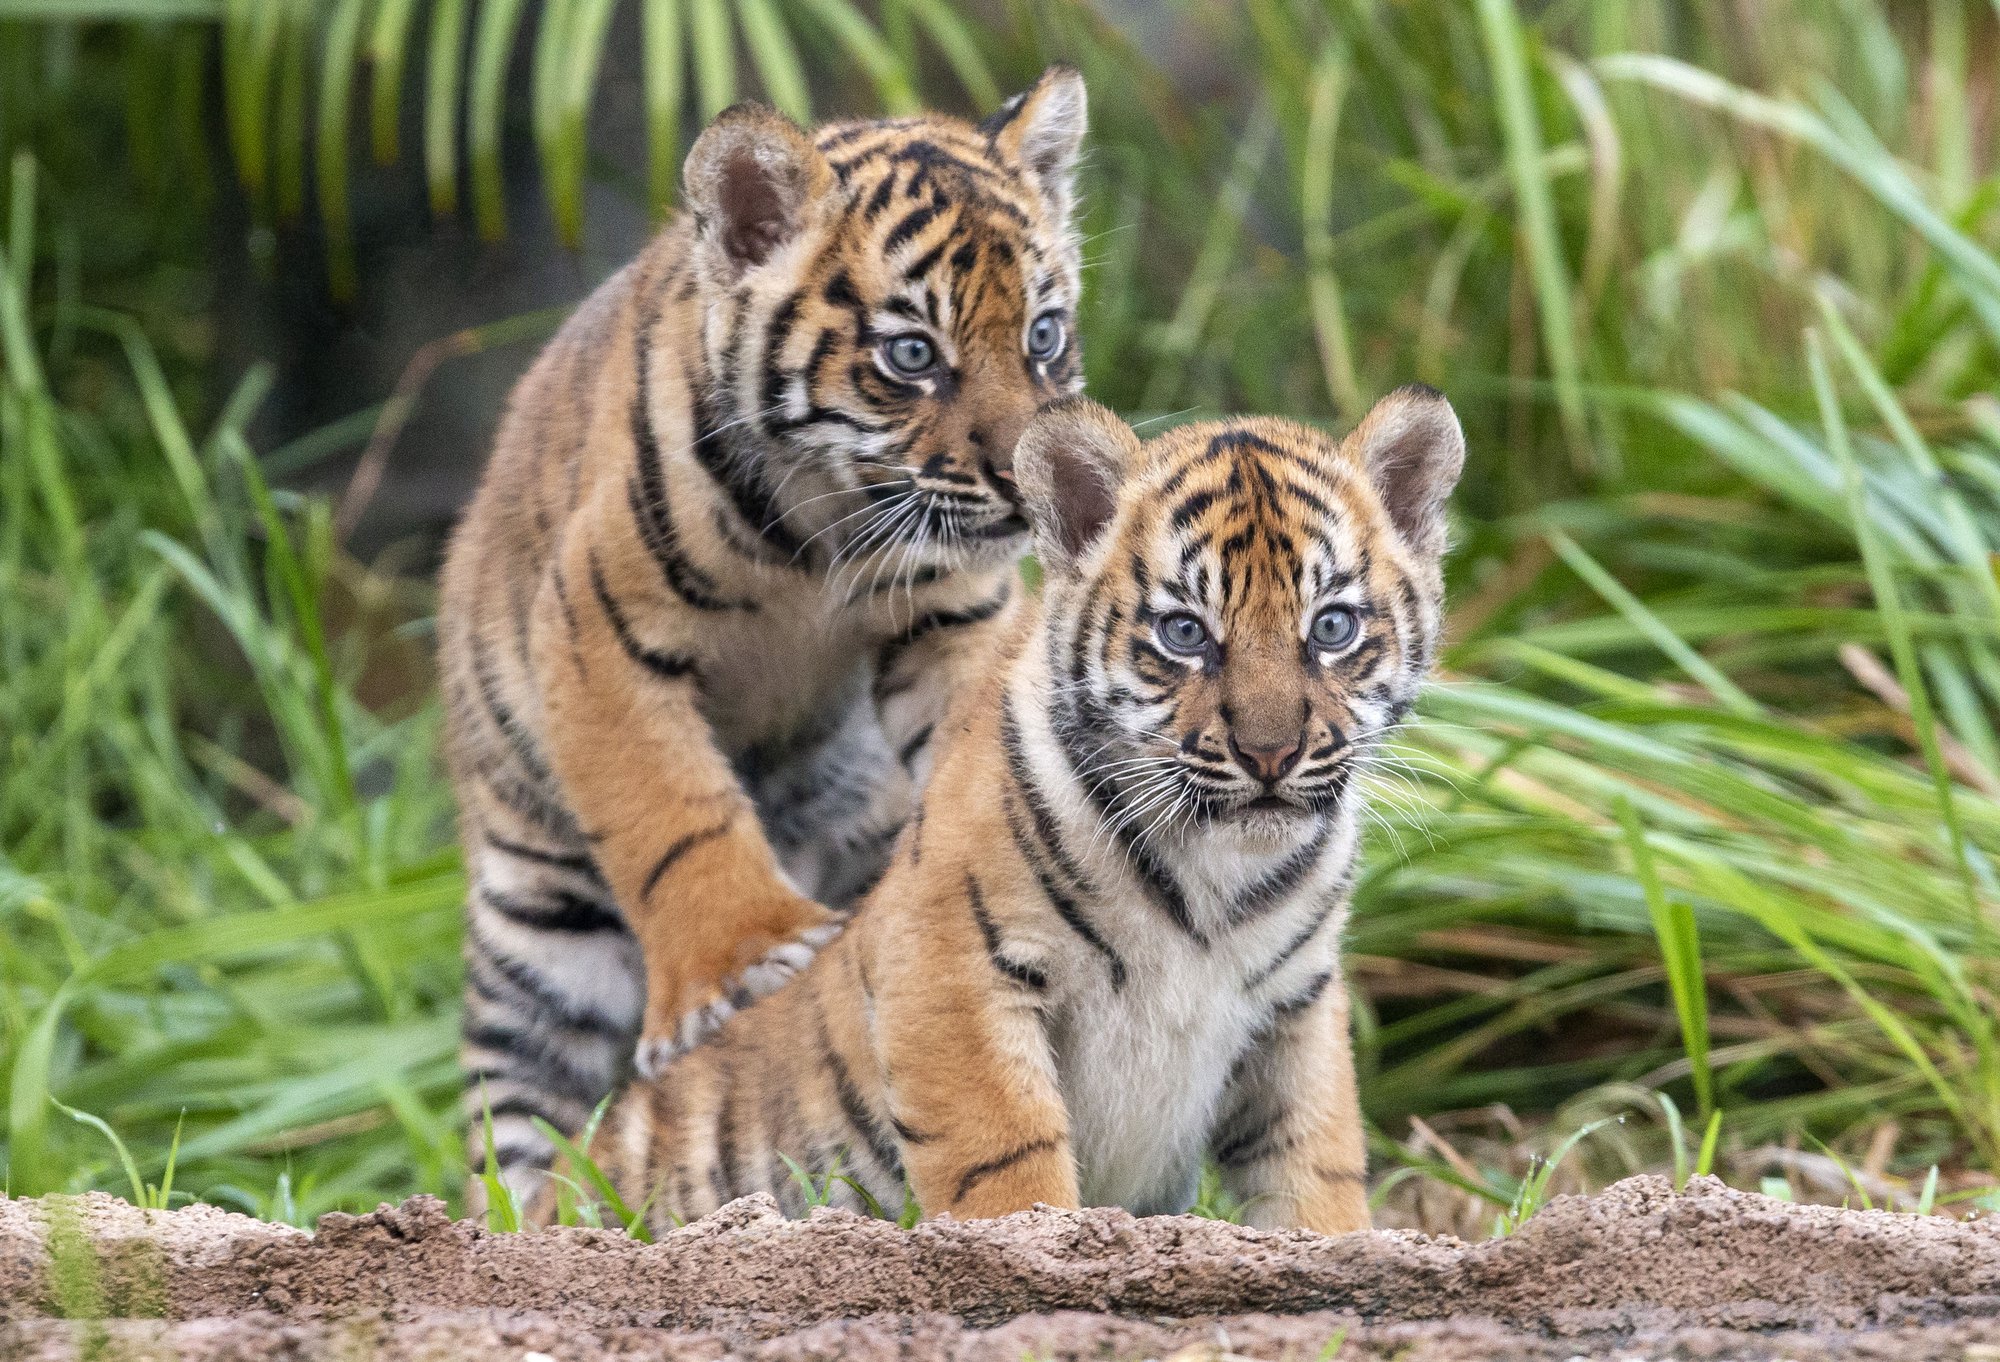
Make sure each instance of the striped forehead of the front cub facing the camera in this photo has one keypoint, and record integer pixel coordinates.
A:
(1255, 507)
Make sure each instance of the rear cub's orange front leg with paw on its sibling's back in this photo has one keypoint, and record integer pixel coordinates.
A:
(669, 825)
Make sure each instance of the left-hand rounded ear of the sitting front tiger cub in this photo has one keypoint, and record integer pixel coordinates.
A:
(1071, 463)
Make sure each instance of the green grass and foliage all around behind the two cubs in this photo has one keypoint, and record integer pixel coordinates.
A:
(1705, 807)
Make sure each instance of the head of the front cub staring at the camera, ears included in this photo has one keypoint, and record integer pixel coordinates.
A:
(1239, 609)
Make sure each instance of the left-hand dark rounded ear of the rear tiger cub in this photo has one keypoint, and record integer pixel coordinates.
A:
(753, 179)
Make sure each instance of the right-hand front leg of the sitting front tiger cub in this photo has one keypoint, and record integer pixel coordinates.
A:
(1291, 1143)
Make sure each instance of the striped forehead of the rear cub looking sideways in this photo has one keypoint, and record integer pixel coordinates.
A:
(935, 223)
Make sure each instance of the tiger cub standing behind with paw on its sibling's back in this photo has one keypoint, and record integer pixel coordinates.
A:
(749, 521)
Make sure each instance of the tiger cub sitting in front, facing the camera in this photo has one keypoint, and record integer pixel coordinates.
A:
(1111, 941)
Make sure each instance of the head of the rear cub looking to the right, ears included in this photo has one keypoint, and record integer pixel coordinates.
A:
(889, 305)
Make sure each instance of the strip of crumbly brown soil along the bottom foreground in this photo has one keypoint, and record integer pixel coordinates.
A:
(1631, 1273)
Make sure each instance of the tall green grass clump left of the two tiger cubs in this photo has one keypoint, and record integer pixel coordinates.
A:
(225, 885)
